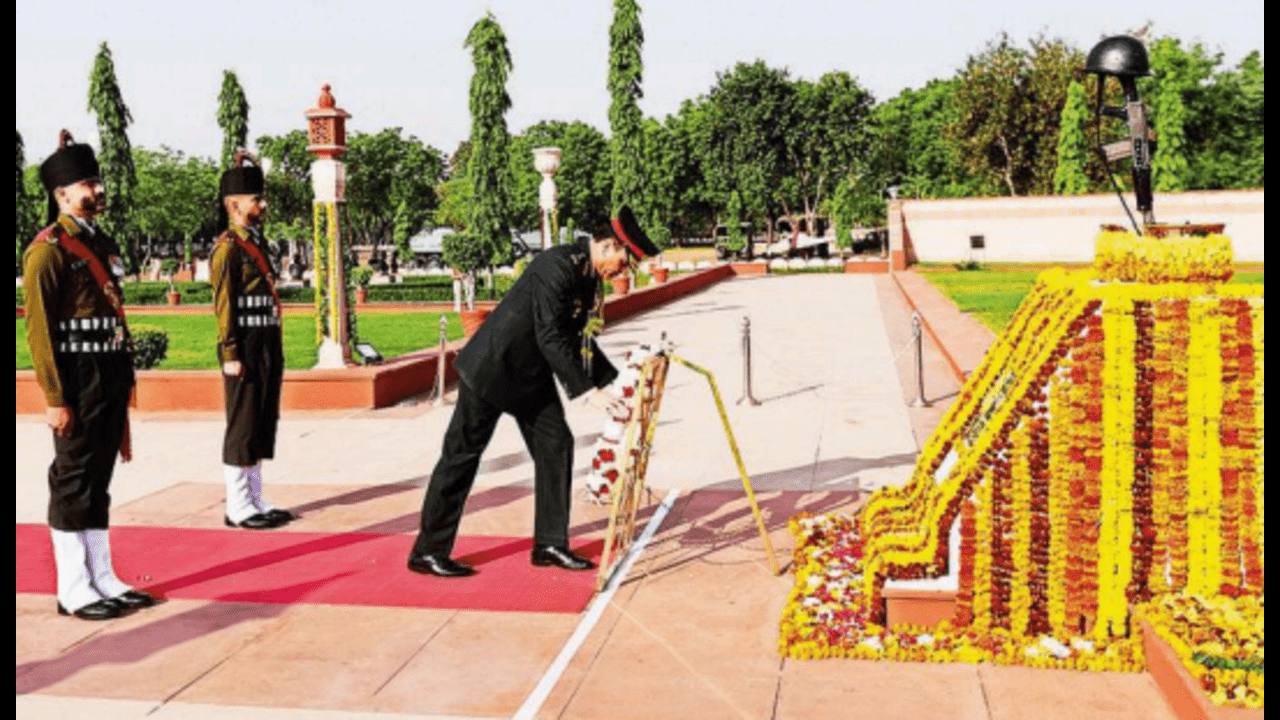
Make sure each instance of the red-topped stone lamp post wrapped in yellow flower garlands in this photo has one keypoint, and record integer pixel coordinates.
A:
(327, 140)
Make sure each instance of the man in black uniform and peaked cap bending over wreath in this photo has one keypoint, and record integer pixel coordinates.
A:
(510, 366)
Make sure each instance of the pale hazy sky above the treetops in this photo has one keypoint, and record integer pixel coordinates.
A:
(401, 63)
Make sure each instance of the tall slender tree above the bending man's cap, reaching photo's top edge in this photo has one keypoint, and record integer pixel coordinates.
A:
(627, 75)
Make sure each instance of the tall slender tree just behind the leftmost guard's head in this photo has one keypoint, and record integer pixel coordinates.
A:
(116, 156)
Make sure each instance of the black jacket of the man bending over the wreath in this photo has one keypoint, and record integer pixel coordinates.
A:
(536, 335)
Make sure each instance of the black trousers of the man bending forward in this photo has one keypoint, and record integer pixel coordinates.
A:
(551, 444)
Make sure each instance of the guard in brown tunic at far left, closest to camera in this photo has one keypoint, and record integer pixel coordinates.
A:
(81, 352)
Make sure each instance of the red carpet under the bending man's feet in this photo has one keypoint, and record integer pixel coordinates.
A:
(286, 568)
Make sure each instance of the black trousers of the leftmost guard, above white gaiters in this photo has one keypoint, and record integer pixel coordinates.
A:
(97, 391)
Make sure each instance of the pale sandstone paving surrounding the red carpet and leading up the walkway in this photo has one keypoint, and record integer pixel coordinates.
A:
(693, 631)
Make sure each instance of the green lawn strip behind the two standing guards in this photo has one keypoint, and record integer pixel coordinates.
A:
(191, 338)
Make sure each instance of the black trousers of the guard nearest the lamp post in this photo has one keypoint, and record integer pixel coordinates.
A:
(254, 398)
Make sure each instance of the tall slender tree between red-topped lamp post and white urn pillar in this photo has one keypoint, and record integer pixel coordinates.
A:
(488, 163)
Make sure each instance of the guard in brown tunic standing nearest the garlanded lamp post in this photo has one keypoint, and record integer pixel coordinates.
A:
(249, 345)
